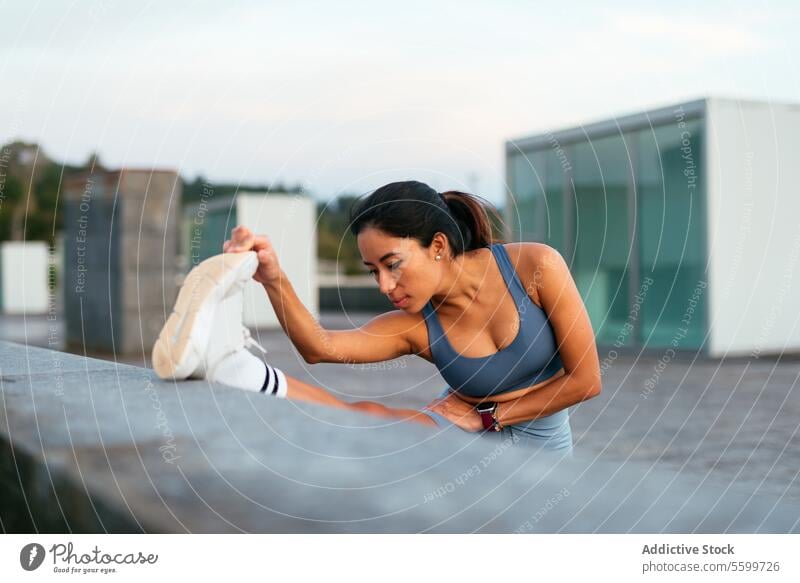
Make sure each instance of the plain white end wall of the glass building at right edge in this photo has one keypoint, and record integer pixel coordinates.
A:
(753, 186)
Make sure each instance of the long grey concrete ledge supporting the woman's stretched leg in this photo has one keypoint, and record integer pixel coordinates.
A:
(92, 446)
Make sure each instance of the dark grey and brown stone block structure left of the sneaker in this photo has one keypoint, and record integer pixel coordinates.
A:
(120, 238)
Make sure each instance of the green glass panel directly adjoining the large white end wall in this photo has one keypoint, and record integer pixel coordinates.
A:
(671, 231)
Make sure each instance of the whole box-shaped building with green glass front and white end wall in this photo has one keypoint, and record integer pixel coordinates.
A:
(681, 225)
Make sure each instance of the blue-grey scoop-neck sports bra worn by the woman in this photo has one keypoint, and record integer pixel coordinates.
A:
(531, 358)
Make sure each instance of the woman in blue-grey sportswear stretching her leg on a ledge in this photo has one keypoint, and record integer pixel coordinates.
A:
(503, 323)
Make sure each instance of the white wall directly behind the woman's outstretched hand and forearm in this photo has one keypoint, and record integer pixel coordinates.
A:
(290, 223)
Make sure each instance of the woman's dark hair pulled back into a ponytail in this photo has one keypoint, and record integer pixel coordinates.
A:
(414, 209)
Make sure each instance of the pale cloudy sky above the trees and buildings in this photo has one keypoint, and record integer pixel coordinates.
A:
(345, 96)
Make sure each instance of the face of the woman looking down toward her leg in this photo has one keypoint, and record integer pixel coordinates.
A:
(406, 272)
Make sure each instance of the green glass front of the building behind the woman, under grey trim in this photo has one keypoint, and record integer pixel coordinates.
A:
(623, 202)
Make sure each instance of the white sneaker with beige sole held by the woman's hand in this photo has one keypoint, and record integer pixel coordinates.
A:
(206, 326)
